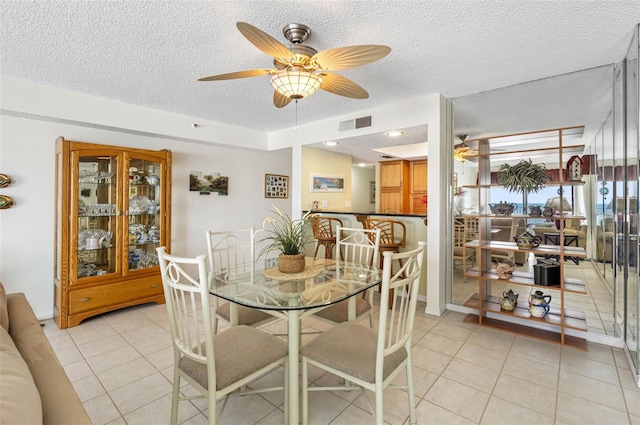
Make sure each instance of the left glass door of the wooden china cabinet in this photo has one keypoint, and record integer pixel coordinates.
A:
(97, 214)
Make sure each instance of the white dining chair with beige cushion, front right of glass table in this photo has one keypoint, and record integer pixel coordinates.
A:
(367, 358)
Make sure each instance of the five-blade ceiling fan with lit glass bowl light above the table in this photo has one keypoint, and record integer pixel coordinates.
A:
(300, 70)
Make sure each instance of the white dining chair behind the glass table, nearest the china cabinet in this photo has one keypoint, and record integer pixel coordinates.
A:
(233, 253)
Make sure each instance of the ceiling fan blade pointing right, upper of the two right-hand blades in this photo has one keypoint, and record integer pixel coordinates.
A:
(349, 57)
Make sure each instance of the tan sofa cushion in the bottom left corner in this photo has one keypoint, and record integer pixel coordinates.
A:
(20, 402)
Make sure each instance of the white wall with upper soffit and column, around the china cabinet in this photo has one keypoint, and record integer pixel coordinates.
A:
(32, 116)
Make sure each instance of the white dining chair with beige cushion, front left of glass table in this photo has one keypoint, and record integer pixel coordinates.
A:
(215, 365)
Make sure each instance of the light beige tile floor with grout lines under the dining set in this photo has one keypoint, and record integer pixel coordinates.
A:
(121, 366)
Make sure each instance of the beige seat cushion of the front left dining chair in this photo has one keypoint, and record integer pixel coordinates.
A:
(239, 351)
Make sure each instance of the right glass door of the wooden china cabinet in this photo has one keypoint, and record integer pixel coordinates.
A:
(144, 212)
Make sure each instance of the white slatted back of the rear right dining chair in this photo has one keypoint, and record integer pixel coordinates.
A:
(359, 246)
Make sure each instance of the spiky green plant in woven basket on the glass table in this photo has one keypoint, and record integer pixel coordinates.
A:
(288, 236)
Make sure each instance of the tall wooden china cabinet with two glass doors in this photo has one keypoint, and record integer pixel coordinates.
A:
(113, 209)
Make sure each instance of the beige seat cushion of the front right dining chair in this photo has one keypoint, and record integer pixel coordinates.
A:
(351, 348)
